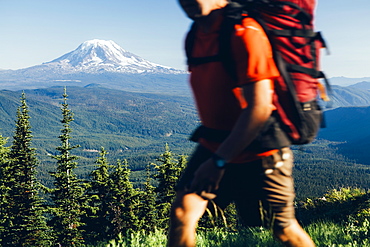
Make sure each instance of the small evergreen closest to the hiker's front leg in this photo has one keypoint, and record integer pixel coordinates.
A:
(168, 172)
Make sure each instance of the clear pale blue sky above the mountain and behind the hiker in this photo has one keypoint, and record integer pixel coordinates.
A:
(37, 31)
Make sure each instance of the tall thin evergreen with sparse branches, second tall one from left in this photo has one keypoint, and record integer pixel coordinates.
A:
(68, 193)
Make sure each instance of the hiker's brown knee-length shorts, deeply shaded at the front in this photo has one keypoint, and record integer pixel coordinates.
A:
(263, 190)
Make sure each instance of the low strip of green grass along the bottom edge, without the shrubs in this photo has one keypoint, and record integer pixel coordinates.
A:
(324, 234)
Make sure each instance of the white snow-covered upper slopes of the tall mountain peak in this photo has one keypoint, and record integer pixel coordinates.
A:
(97, 56)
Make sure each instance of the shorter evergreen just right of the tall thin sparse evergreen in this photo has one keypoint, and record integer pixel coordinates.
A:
(97, 224)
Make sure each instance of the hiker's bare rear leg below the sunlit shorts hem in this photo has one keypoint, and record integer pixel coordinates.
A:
(294, 236)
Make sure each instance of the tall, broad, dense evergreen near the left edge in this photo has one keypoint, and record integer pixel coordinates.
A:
(25, 222)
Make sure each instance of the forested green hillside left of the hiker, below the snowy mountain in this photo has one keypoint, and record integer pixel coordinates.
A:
(125, 123)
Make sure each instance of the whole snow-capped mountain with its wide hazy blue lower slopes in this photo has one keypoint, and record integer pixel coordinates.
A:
(97, 62)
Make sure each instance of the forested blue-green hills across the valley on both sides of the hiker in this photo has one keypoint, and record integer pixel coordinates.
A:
(136, 126)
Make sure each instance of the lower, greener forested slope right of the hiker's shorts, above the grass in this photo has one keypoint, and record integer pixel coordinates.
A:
(322, 166)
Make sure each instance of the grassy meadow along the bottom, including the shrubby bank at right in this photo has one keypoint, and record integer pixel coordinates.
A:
(341, 218)
